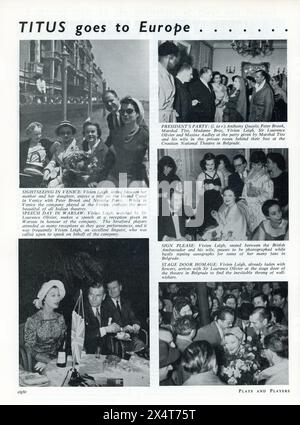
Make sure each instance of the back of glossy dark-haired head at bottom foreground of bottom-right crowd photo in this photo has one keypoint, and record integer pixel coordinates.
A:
(199, 359)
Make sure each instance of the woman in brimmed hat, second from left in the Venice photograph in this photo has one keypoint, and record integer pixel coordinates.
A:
(63, 149)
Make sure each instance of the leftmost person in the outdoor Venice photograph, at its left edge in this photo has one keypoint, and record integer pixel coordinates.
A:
(34, 156)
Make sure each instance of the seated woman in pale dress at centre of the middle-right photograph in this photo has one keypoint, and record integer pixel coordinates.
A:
(231, 221)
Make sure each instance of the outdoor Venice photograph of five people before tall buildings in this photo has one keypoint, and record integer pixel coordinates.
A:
(83, 119)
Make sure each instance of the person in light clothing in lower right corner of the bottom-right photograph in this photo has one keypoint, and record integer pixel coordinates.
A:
(276, 345)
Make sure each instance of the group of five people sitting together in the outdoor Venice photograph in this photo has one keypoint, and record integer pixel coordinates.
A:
(88, 160)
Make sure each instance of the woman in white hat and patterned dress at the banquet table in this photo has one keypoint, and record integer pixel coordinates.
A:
(45, 330)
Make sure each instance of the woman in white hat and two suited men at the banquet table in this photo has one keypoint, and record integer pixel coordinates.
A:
(108, 316)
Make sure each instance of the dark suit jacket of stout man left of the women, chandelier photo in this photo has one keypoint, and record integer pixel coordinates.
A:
(204, 111)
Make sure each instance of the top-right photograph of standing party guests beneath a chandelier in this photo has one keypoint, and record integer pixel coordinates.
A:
(222, 81)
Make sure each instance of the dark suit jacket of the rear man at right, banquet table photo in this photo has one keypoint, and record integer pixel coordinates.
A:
(127, 316)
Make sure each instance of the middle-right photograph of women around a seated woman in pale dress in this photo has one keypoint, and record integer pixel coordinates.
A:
(223, 194)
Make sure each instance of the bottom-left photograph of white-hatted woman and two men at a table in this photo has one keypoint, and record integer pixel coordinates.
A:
(83, 312)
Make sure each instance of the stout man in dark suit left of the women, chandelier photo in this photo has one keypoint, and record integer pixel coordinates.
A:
(203, 97)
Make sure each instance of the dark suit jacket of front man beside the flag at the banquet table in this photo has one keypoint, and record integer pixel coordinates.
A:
(92, 338)
